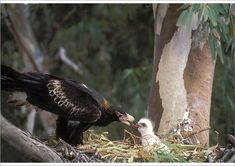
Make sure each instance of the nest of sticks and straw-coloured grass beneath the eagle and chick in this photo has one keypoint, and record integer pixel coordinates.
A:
(98, 148)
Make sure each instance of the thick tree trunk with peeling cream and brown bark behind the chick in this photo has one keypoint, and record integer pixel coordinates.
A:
(182, 75)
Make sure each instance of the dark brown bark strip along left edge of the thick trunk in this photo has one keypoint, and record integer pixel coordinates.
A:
(169, 26)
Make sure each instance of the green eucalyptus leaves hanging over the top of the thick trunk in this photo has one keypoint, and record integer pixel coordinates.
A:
(219, 20)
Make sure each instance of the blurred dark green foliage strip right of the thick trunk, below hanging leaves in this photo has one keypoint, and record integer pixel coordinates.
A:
(222, 108)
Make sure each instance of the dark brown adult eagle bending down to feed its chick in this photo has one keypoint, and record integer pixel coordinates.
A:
(77, 106)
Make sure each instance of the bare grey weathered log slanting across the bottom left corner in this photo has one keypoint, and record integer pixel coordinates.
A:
(22, 141)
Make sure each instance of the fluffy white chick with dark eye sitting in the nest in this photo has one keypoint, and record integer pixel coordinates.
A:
(148, 138)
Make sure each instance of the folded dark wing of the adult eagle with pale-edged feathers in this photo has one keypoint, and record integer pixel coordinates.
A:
(77, 103)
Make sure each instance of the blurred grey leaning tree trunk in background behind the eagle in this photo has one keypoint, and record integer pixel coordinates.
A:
(21, 29)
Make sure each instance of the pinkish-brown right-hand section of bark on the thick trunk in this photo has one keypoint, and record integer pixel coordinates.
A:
(198, 78)
